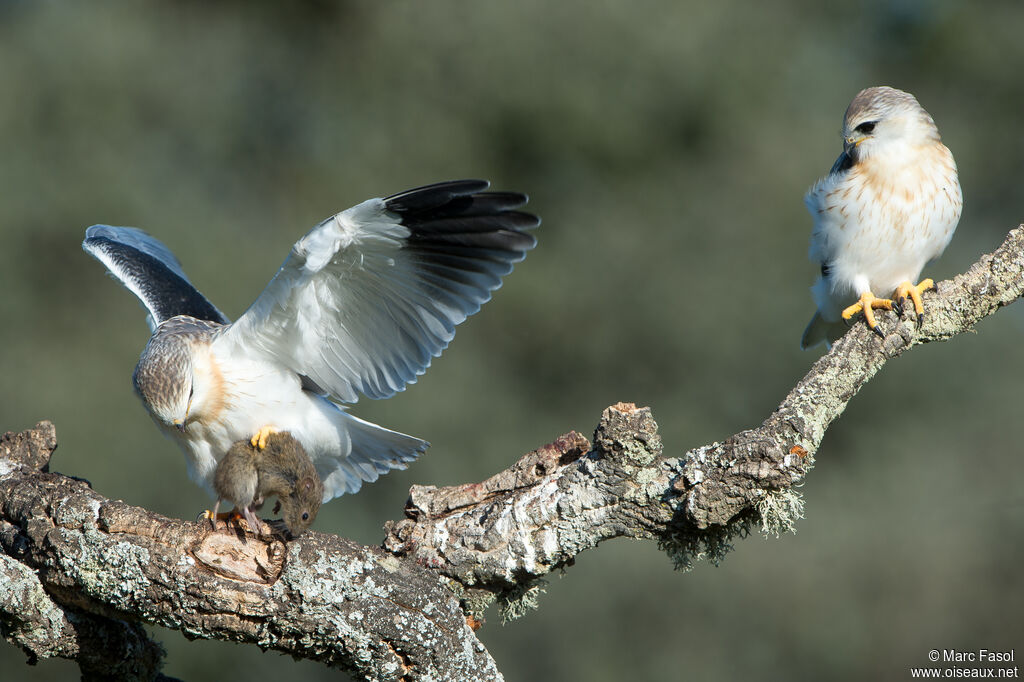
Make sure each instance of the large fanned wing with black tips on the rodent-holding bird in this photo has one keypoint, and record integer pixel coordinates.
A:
(370, 296)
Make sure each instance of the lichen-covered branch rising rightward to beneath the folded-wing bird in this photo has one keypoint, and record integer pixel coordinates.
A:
(568, 497)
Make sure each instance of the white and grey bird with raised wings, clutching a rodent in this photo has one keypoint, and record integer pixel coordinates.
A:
(361, 306)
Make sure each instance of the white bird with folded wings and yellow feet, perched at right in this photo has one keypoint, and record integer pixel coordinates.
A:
(889, 206)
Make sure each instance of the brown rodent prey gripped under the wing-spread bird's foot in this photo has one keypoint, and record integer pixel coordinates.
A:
(246, 477)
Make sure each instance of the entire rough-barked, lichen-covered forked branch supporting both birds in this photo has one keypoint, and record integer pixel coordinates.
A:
(407, 611)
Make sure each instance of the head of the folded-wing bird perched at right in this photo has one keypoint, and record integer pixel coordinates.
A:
(884, 119)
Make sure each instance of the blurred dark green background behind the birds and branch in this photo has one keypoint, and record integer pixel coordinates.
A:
(667, 147)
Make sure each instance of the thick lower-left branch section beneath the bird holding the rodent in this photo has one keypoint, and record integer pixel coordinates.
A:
(324, 599)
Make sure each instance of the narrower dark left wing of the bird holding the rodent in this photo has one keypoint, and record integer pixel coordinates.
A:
(151, 272)
